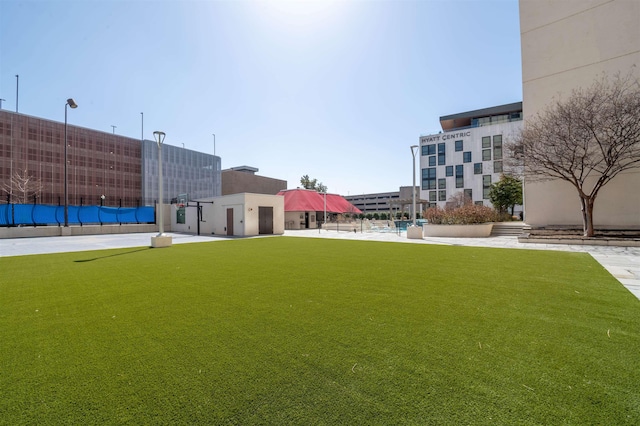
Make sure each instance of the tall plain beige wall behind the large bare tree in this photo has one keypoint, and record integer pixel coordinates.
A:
(568, 44)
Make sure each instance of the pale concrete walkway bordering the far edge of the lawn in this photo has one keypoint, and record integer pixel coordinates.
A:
(622, 262)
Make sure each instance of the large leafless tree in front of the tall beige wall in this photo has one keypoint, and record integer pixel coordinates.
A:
(586, 139)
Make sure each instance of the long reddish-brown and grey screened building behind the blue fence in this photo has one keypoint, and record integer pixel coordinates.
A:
(102, 168)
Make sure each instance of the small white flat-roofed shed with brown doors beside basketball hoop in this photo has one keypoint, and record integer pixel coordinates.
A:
(240, 215)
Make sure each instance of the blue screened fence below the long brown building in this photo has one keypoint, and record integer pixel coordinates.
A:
(47, 215)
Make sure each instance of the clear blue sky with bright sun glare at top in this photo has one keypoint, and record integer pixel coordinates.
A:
(338, 90)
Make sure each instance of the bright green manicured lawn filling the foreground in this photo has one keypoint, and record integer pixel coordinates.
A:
(313, 331)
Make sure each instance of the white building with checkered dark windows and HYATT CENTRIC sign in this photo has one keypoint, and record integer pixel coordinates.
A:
(467, 156)
